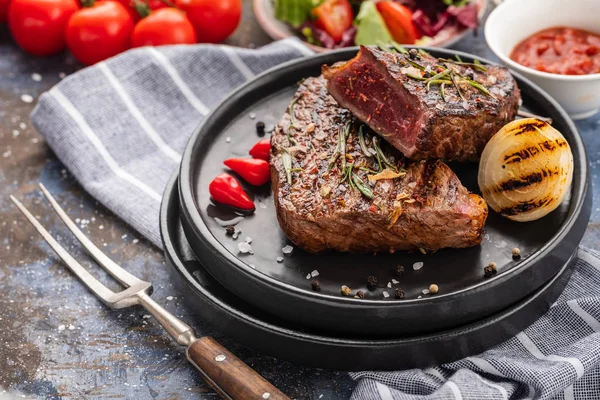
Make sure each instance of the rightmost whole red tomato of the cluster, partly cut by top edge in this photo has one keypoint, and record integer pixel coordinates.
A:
(213, 20)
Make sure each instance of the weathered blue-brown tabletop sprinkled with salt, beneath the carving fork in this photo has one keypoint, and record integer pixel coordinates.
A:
(56, 340)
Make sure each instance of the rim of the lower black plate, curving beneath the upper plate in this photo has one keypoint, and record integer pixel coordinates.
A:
(176, 263)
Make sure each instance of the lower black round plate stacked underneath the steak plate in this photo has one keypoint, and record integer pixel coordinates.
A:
(281, 338)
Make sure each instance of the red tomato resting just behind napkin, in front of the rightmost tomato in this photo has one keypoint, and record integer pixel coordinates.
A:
(163, 26)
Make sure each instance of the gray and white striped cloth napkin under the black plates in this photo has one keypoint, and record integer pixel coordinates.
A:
(121, 126)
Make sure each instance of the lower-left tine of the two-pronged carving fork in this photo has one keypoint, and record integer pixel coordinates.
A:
(92, 283)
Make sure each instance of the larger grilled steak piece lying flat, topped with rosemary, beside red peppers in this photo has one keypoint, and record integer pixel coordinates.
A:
(326, 200)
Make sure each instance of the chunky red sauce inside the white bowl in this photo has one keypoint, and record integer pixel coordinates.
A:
(560, 50)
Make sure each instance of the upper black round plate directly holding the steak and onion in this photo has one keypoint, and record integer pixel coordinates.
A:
(284, 288)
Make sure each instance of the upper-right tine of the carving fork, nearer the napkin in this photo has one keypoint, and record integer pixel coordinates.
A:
(124, 277)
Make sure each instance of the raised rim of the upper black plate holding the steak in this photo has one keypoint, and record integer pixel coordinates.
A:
(192, 214)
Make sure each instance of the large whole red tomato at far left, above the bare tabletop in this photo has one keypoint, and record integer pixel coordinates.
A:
(38, 26)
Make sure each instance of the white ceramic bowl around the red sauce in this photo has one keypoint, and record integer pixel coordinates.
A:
(515, 20)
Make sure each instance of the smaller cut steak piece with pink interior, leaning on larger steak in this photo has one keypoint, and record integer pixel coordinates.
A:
(388, 91)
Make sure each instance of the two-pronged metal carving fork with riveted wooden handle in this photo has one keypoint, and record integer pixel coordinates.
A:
(228, 375)
